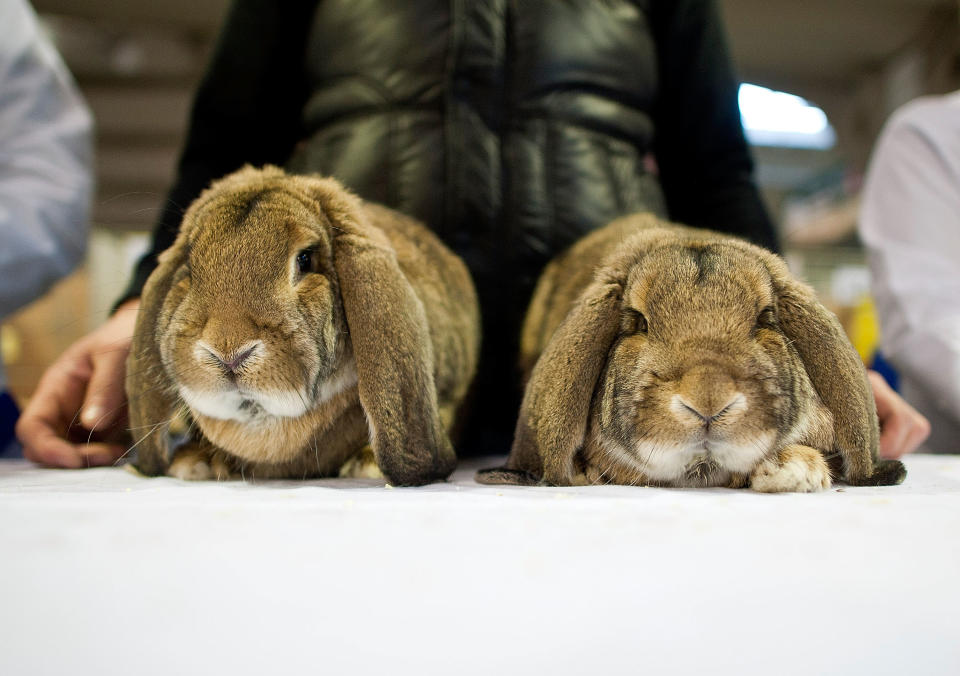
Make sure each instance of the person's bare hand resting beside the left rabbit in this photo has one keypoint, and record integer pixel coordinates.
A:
(76, 417)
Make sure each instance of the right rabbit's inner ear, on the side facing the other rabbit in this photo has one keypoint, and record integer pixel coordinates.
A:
(556, 403)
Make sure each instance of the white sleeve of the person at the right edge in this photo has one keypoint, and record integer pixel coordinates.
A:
(910, 223)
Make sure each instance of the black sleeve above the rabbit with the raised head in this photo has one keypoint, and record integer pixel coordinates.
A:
(246, 110)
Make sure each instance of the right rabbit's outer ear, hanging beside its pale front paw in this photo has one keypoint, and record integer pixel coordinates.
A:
(838, 376)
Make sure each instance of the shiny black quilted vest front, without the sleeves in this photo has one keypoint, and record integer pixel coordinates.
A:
(510, 128)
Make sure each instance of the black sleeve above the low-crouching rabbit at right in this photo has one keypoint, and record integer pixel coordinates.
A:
(705, 165)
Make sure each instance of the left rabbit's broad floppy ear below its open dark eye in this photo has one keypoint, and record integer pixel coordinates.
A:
(391, 344)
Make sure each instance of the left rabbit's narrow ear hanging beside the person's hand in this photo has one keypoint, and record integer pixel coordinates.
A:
(152, 399)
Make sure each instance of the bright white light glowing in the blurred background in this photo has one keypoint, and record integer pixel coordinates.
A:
(772, 118)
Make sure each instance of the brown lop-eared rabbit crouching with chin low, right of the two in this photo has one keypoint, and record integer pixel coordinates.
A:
(663, 355)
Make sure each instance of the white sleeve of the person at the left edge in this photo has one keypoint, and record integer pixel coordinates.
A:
(46, 158)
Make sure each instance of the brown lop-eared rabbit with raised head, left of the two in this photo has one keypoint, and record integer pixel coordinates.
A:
(293, 324)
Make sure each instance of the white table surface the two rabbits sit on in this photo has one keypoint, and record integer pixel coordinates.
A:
(102, 572)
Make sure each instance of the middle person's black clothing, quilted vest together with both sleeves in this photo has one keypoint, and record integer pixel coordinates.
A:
(511, 127)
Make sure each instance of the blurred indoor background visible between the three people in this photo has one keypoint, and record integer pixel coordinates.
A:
(821, 78)
